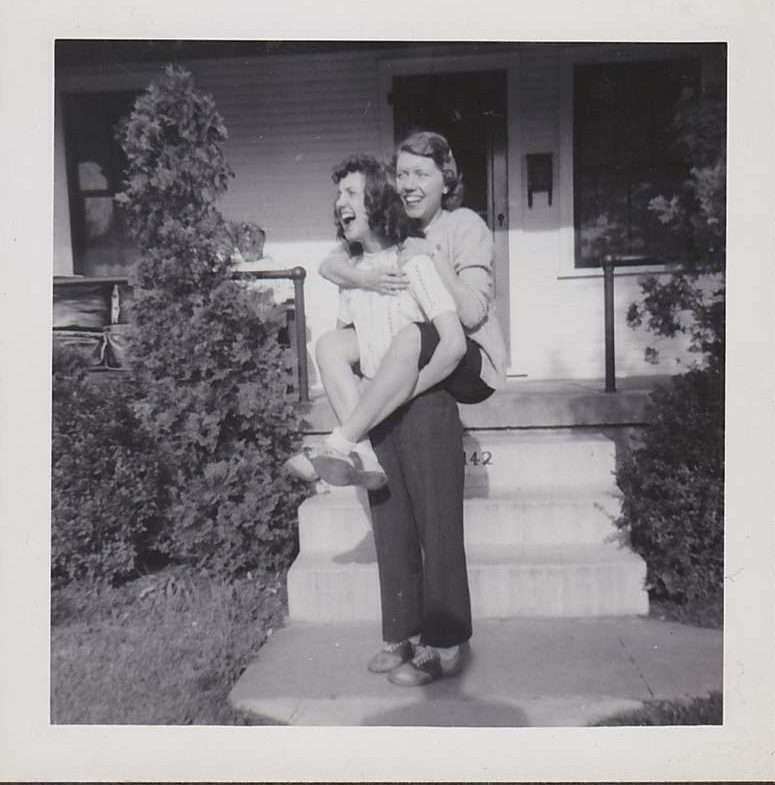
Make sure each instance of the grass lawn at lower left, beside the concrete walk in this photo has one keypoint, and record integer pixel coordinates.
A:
(164, 649)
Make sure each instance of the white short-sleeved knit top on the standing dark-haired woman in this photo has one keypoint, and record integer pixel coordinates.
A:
(378, 318)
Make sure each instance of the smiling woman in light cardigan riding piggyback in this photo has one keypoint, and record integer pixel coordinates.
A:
(460, 245)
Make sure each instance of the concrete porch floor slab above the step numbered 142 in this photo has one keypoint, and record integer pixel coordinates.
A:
(527, 403)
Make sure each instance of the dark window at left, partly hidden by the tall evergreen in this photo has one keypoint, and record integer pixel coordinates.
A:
(95, 166)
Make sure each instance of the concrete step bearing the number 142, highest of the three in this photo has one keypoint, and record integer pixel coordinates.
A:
(512, 460)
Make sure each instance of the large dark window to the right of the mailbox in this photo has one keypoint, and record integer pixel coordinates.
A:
(624, 155)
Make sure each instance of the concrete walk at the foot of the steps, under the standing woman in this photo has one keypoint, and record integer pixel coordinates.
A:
(523, 672)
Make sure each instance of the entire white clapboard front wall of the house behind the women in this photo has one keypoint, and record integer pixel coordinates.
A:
(291, 118)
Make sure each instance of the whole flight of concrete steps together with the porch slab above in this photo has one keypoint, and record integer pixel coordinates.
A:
(541, 501)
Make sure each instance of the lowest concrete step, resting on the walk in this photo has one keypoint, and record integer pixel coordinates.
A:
(505, 581)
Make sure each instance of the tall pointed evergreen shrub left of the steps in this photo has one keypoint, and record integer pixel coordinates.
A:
(217, 384)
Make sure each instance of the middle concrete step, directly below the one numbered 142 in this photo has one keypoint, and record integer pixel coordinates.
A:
(338, 522)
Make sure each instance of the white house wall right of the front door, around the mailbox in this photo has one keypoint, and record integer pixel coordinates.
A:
(557, 328)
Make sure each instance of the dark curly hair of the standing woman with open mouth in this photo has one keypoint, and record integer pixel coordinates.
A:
(387, 217)
